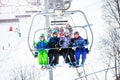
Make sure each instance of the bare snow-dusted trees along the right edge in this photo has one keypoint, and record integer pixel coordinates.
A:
(111, 42)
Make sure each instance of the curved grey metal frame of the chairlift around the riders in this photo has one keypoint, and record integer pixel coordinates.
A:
(63, 22)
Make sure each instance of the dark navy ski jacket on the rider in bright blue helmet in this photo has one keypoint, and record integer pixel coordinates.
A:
(53, 42)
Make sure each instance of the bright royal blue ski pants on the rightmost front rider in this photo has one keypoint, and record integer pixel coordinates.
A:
(80, 51)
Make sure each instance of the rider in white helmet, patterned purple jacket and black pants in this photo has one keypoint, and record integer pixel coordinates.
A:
(65, 42)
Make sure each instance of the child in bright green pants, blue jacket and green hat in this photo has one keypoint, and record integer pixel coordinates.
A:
(42, 53)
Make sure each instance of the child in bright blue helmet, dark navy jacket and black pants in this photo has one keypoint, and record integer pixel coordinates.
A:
(53, 53)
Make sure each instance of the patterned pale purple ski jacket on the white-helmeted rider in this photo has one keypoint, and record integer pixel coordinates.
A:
(65, 41)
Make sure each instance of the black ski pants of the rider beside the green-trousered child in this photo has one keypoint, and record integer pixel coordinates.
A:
(53, 56)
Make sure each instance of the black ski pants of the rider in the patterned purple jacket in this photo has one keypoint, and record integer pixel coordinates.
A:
(68, 55)
